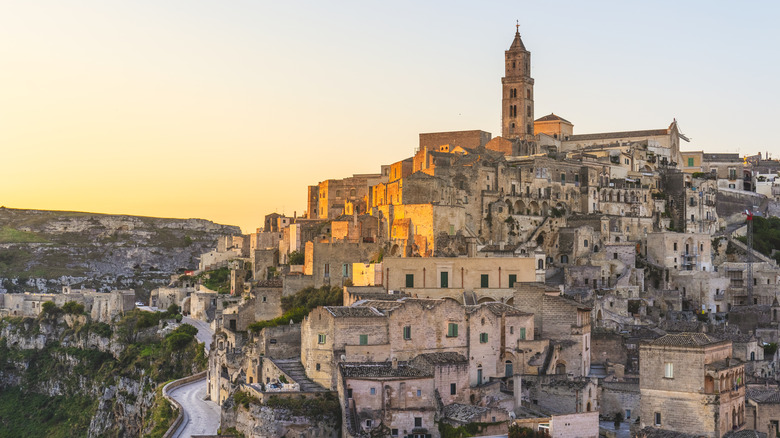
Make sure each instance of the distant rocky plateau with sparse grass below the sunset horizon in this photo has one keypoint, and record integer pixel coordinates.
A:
(44, 250)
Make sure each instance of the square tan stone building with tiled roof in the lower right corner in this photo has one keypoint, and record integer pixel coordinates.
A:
(690, 382)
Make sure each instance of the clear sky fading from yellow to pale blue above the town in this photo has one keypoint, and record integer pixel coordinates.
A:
(228, 110)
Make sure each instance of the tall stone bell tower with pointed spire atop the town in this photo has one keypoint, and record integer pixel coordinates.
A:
(517, 104)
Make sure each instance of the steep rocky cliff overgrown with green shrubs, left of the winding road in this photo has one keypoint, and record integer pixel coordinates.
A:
(64, 375)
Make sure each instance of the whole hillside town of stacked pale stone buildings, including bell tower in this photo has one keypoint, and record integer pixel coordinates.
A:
(574, 284)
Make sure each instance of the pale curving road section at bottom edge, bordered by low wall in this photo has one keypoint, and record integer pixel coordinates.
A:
(201, 417)
